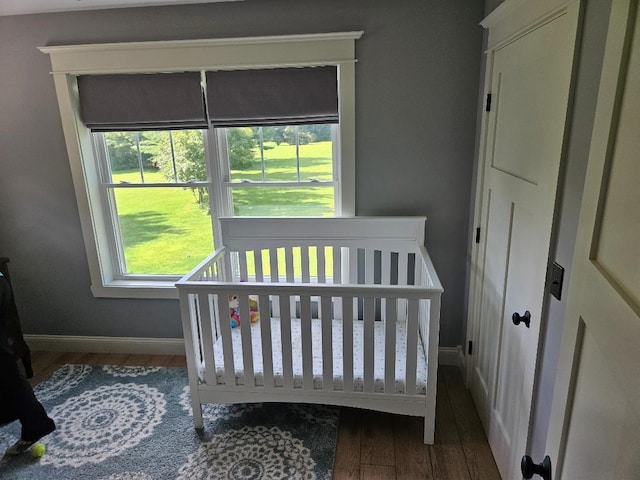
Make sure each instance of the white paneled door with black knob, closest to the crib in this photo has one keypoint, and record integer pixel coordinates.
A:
(530, 85)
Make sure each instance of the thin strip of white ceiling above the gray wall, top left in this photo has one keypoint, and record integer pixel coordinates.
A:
(23, 7)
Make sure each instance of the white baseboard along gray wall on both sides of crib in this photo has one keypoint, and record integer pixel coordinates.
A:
(160, 346)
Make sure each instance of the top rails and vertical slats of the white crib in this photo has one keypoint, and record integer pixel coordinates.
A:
(369, 301)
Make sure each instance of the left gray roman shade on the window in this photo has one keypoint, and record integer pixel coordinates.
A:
(142, 101)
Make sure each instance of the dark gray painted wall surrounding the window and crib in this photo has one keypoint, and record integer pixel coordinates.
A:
(417, 84)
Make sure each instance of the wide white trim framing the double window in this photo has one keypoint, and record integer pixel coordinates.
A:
(67, 61)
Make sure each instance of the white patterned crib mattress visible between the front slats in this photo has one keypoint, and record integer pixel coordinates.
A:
(337, 336)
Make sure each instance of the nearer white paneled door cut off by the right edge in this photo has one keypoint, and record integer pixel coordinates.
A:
(595, 420)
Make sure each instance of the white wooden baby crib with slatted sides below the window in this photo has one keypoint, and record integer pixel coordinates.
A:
(349, 315)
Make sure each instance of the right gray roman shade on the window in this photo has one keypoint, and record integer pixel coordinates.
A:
(280, 96)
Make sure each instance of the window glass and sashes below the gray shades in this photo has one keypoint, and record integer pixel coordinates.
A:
(158, 196)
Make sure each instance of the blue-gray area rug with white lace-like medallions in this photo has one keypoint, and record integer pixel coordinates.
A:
(120, 423)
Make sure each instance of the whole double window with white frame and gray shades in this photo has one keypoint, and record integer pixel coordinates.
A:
(150, 194)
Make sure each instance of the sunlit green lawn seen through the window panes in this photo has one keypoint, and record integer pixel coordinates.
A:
(165, 231)
